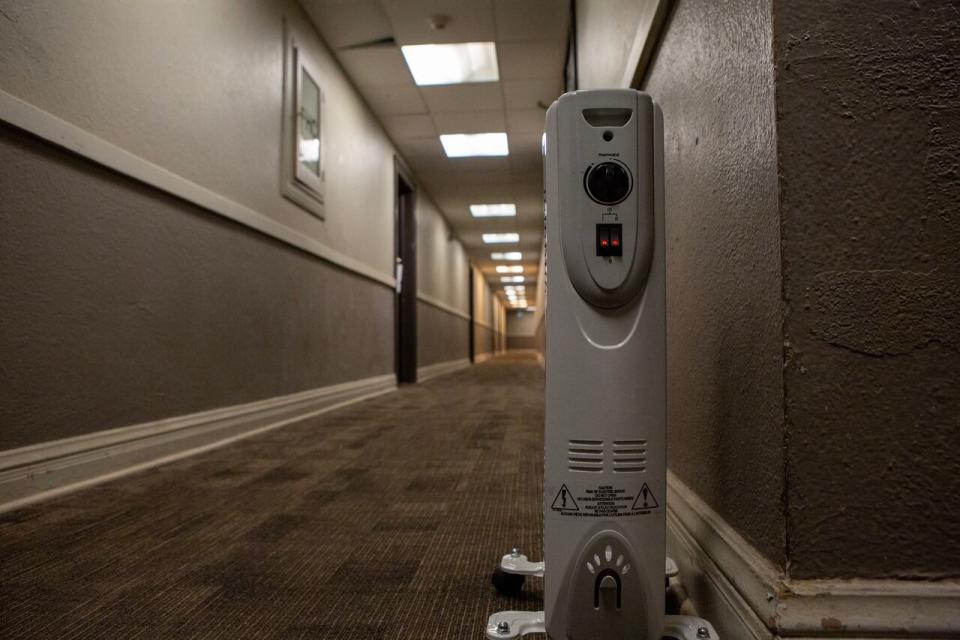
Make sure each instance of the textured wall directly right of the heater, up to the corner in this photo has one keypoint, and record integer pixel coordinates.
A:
(713, 76)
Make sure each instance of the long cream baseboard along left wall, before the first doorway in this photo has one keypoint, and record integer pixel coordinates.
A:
(50, 469)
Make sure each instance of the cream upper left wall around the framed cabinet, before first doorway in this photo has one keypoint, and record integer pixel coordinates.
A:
(197, 89)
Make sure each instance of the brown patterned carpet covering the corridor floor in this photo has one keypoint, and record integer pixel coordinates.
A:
(379, 520)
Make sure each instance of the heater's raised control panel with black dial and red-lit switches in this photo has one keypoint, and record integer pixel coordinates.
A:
(606, 192)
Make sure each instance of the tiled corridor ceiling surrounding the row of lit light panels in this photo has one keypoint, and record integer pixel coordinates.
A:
(530, 37)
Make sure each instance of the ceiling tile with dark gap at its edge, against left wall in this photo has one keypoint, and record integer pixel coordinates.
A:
(343, 24)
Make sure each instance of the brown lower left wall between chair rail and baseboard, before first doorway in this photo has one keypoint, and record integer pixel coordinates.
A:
(122, 304)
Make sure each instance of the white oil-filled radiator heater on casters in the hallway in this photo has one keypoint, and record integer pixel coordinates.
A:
(605, 479)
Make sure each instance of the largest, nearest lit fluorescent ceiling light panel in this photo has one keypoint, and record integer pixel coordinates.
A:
(433, 64)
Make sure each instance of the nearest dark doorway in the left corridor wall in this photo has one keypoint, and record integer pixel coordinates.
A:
(405, 308)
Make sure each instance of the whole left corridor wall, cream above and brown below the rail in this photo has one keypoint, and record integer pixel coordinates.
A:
(124, 304)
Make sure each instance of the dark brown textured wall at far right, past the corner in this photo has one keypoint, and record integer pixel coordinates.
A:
(869, 149)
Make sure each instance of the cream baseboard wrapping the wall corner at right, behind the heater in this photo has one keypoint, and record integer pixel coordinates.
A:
(745, 596)
